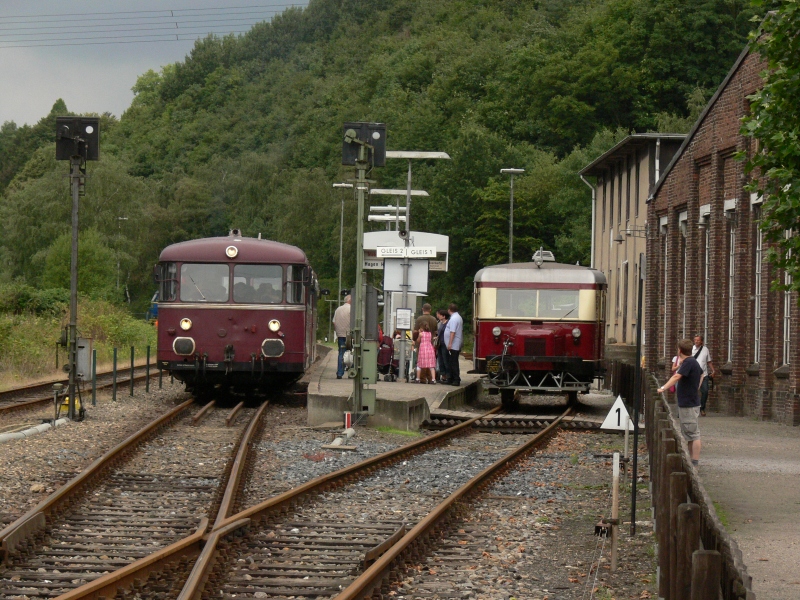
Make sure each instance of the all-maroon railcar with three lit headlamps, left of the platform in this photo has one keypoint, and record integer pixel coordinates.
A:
(235, 312)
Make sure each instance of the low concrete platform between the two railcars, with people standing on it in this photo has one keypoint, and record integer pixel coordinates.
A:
(399, 405)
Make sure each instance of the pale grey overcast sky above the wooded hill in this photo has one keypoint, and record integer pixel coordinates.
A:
(49, 48)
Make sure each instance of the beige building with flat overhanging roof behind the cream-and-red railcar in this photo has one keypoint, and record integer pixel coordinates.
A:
(624, 178)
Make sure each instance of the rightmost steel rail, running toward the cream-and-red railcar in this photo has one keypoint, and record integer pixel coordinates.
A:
(375, 575)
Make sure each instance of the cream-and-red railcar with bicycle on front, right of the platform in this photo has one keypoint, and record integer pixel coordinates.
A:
(539, 327)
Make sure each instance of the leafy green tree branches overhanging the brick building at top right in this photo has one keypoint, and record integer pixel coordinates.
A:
(774, 121)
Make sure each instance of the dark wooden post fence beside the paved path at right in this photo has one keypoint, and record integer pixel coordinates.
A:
(697, 558)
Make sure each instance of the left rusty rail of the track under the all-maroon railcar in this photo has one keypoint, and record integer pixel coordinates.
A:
(34, 520)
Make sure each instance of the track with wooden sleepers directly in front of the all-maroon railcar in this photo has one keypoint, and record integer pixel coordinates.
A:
(154, 489)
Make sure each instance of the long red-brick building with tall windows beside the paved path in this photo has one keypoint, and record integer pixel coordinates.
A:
(707, 270)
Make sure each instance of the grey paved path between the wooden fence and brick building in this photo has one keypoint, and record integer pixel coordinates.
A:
(751, 470)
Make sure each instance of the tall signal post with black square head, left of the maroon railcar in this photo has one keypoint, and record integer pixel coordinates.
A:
(77, 140)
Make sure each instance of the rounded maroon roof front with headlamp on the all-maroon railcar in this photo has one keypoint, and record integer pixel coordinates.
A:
(251, 250)
